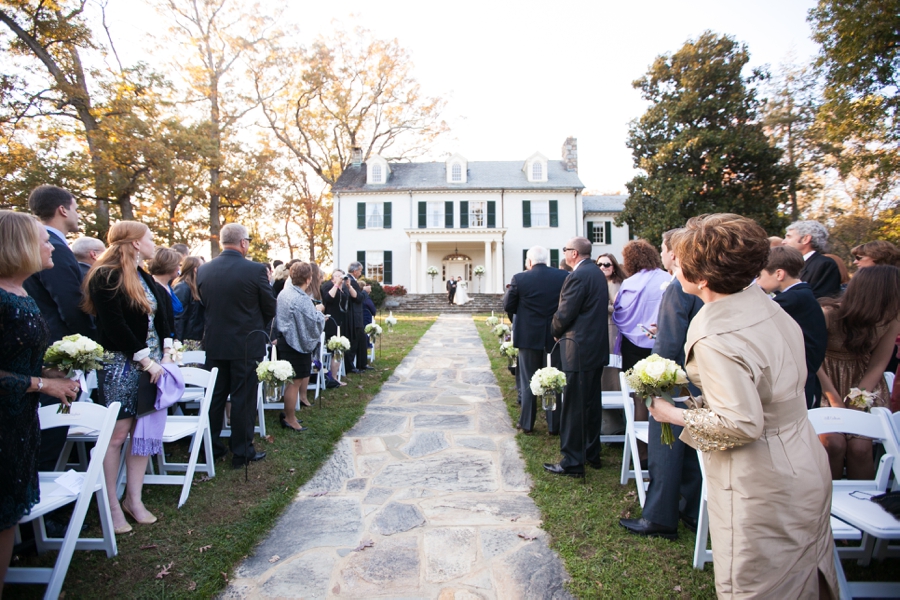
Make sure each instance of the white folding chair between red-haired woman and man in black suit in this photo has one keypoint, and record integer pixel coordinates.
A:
(197, 428)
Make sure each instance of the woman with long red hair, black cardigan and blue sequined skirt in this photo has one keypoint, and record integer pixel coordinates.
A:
(133, 315)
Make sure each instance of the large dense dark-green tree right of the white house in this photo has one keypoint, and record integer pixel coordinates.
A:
(700, 146)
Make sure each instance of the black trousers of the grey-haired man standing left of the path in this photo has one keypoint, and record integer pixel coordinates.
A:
(238, 379)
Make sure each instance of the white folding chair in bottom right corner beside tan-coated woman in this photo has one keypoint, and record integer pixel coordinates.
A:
(850, 498)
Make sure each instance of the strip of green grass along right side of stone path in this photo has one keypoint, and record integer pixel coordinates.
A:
(583, 521)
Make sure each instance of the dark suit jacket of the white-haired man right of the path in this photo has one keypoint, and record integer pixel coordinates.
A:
(533, 297)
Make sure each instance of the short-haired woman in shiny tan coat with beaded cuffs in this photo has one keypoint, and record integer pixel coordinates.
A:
(768, 482)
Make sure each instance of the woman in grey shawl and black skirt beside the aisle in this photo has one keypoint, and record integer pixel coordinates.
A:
(299, 323)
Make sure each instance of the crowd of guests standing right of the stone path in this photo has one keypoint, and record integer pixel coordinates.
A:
(766, 328)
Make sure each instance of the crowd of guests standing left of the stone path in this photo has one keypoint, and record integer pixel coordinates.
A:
(134, 299)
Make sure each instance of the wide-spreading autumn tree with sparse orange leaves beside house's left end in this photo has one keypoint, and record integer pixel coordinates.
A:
(347, 90)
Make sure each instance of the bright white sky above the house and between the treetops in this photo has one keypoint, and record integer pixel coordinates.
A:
(522, 76)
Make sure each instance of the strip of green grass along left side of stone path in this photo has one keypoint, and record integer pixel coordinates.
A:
(198, 546)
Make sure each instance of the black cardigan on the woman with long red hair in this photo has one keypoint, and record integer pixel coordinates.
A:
(121, 326)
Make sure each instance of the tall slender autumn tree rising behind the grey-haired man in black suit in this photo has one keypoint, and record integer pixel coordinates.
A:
(217, 35)
